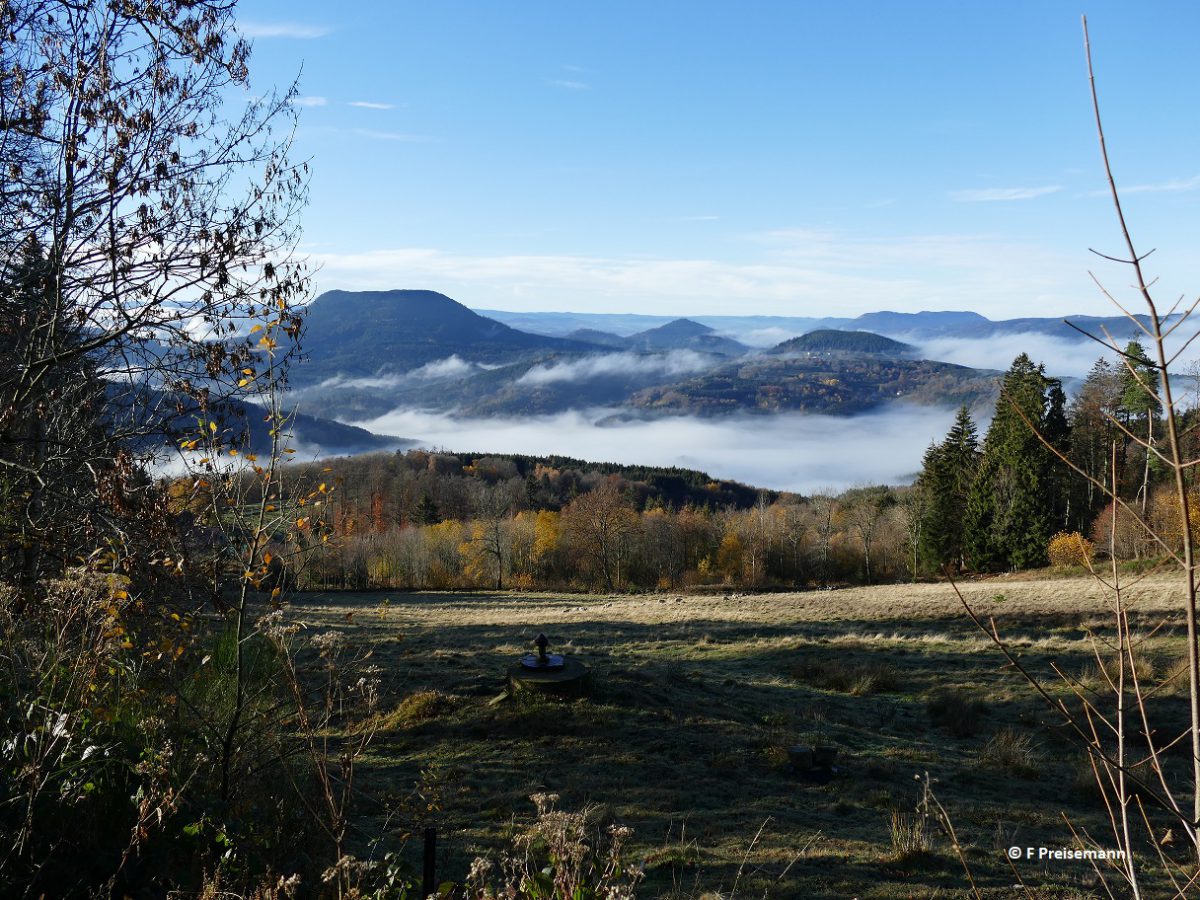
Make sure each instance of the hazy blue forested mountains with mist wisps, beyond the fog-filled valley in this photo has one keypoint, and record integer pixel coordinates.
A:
(371, 352)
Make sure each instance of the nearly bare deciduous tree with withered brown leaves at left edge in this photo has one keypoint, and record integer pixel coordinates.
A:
(147, 219)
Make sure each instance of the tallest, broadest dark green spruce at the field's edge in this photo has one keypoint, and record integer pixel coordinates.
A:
(1019, 497)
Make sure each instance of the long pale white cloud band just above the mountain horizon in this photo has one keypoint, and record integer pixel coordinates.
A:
(796, 273)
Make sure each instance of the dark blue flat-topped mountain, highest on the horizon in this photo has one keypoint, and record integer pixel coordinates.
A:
(363, 333)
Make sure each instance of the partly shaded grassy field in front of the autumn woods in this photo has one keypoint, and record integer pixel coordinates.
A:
(698, 698)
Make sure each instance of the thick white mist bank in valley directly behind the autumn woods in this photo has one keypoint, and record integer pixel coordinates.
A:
(799, 453)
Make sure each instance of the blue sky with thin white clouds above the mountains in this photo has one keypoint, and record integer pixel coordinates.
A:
(698, 158)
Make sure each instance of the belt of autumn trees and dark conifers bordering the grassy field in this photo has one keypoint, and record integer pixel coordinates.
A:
(1004, 502)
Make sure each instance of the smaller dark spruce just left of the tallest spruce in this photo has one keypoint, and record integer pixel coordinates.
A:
(949, 473)
